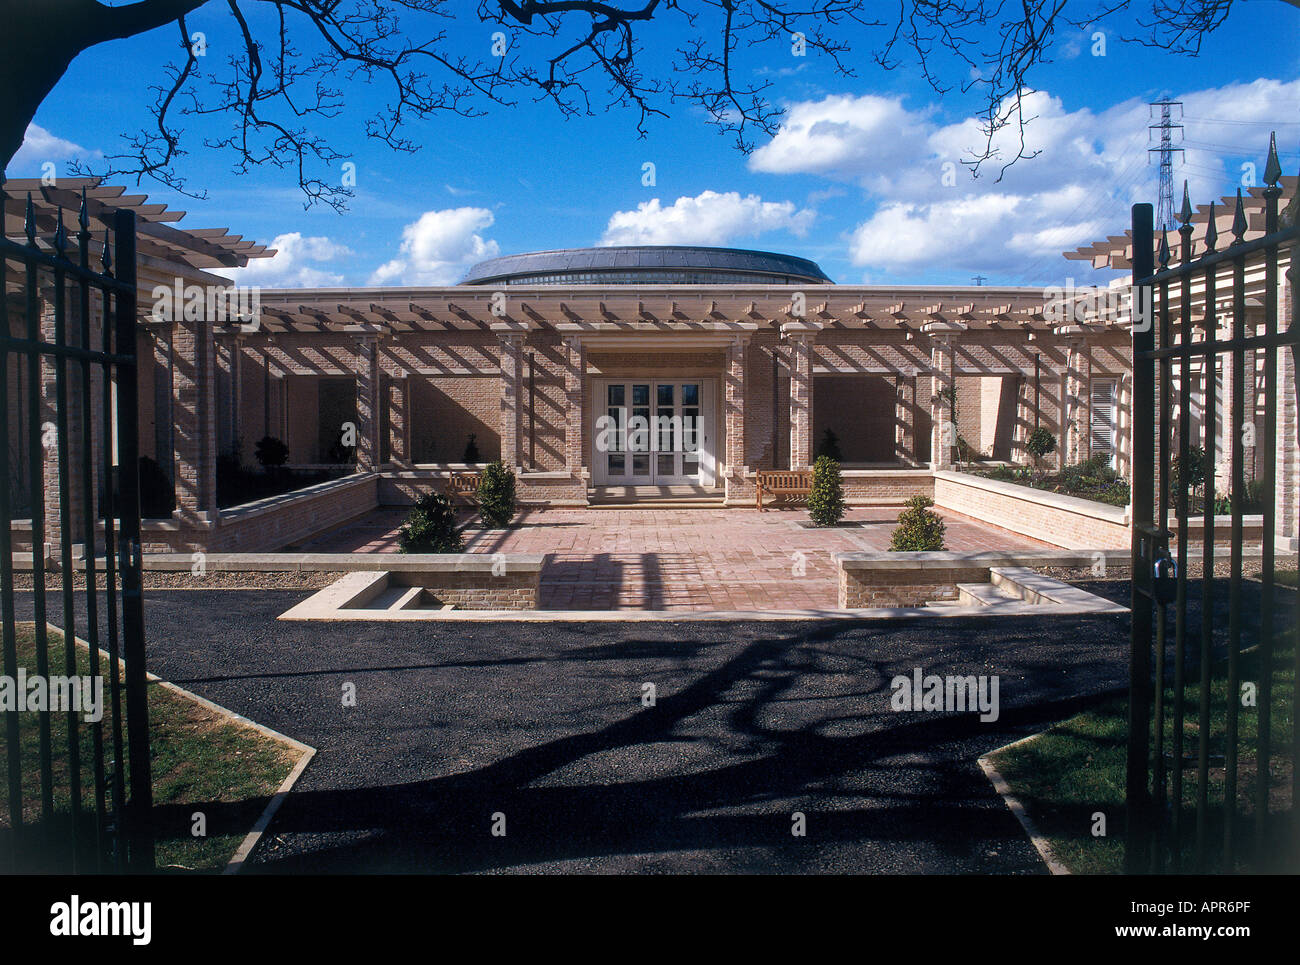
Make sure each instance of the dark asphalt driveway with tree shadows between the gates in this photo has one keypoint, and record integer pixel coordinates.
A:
(549, 726)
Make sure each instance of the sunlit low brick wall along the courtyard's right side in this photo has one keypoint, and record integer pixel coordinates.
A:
(1064, 521)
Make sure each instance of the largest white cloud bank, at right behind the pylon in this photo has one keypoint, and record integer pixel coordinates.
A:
(1091, 167)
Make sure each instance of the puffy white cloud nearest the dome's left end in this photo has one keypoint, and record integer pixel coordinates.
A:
(439, 248)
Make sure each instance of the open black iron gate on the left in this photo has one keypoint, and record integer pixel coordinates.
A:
(79, 787)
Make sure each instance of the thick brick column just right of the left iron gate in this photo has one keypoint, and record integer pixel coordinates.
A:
(194, 417)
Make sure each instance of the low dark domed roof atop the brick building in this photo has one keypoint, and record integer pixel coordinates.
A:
(648, 265)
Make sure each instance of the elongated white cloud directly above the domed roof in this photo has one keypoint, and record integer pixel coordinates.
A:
(708, 219)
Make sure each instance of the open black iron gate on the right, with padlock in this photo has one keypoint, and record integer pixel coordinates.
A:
(1207, 785)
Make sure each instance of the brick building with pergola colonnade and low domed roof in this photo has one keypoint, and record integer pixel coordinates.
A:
(617, 375)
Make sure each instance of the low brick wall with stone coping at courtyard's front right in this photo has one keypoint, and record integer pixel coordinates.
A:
(913, 579)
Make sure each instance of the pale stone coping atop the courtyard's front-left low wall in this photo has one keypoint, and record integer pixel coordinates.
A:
(350, 562)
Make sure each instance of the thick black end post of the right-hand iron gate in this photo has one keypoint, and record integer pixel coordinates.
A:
(1137, 795)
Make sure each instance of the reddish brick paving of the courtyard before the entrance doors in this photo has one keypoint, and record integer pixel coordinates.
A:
(679, 559)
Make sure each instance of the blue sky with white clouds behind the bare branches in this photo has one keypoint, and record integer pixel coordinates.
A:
(855, 180)
